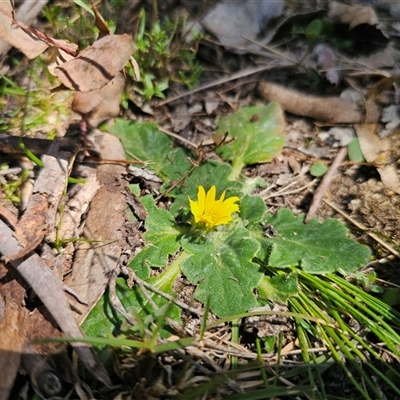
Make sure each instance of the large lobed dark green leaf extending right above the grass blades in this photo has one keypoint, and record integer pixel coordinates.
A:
(317, 248)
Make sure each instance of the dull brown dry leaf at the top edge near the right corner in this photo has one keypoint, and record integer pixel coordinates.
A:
(352, 15)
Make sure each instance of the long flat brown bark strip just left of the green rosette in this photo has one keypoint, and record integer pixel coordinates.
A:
(96, 259)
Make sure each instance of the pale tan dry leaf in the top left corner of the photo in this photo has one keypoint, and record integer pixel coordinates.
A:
(15, 36)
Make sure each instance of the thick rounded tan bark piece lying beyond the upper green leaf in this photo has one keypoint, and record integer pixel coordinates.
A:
(332, 110)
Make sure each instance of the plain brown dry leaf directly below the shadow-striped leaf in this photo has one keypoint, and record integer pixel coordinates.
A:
(99, 105)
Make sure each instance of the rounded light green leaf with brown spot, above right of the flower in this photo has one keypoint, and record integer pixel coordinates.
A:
(256, 135)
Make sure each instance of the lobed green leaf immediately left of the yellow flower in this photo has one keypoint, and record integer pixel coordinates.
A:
(162, 238)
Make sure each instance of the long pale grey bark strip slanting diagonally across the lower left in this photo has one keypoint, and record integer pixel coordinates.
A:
(50, 291)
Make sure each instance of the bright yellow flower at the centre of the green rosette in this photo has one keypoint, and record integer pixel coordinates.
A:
(211, 212)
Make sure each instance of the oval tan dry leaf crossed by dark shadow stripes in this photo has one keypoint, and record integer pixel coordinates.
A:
(98, 64)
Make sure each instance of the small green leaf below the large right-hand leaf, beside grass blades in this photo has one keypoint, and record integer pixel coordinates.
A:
(278, 288)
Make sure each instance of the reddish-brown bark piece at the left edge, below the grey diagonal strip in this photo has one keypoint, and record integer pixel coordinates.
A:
(12, 333)
